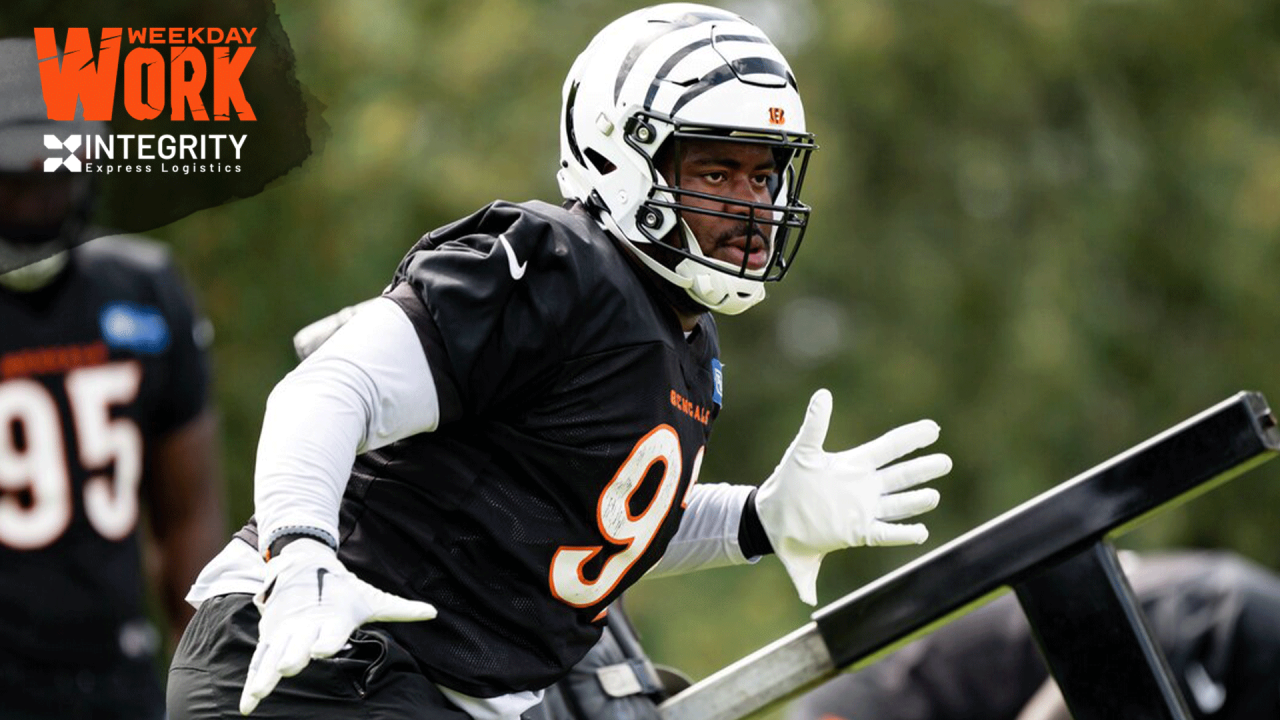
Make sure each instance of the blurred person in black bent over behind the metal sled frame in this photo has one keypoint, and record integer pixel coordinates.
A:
(1215, 616)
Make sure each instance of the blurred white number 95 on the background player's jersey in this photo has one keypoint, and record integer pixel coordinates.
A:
(34, 459)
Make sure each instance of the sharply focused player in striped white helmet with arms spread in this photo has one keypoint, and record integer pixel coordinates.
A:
(452, 490)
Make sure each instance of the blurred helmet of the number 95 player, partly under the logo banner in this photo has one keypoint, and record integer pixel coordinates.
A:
(43, 212)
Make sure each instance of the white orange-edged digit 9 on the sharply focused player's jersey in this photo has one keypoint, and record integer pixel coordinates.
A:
(619, 526)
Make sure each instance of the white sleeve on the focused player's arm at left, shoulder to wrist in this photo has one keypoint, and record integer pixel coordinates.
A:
(365, 388)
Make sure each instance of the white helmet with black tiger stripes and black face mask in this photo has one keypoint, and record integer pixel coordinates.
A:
(676, 74)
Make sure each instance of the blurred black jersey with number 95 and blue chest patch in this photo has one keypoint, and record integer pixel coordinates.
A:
(92, 368)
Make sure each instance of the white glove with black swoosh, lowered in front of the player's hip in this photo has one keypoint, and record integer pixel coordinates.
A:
(310, 605)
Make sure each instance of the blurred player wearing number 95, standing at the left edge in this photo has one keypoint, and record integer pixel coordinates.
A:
(106, 427)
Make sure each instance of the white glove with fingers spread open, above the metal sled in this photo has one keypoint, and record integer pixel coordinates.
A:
(819, 502)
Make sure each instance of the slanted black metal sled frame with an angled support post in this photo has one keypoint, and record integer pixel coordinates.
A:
(1055, 553)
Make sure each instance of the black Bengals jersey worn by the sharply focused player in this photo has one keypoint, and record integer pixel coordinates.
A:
(574, 414)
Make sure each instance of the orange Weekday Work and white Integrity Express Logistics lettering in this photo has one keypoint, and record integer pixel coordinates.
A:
(153, 84)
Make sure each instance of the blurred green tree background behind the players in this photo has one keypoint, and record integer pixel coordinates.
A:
(1049, 226)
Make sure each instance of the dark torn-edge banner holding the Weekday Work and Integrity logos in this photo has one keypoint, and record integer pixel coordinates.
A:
(179, 107)
